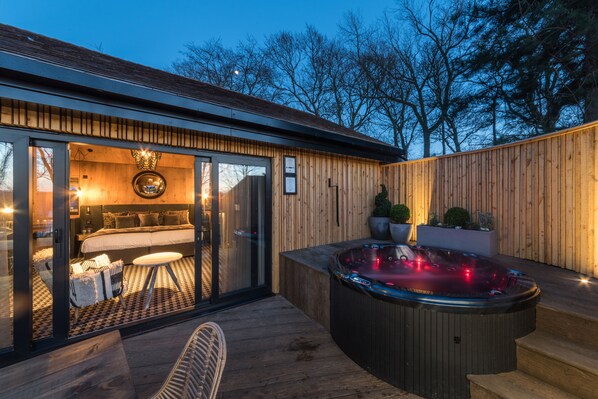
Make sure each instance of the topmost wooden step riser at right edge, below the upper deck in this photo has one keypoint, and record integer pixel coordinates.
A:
(578, 328)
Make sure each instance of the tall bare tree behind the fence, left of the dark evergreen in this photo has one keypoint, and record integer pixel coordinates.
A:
(415, 61)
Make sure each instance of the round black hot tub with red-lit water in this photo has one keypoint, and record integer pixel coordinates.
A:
(422, 319)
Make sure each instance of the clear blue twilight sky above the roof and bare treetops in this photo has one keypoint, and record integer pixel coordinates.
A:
(153, 32)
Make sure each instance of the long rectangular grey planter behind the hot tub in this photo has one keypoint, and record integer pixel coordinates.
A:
(483, 243)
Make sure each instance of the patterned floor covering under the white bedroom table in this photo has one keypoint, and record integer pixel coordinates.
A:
(165, 299)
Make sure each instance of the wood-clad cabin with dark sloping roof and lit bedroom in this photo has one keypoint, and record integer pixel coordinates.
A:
(103, 160)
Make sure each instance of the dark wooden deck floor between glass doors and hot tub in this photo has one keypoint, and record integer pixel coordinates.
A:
(274, 351)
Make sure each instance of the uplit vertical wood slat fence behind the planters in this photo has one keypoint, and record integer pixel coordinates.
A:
(542, 193)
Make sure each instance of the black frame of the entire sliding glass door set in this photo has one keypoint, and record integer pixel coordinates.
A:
(22, 139)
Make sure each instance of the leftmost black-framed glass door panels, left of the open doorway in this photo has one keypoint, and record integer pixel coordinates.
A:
(33, 251)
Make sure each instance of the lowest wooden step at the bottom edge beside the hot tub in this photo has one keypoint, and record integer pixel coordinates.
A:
(513, 385)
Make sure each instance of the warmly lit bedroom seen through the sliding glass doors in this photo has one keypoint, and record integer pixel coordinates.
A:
(113, 218)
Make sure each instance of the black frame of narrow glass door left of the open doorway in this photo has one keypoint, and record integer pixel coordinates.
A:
(22, 244)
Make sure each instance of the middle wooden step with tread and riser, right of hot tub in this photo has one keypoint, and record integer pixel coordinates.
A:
(562, 363)
